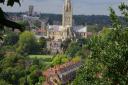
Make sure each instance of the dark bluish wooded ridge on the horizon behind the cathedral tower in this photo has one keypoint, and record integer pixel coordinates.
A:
(101, 20)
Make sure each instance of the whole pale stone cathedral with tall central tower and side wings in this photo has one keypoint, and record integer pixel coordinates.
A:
(59, 33)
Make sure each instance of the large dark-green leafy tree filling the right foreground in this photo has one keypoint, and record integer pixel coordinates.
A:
(107, 62)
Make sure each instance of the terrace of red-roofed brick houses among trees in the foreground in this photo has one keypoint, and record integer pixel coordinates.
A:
(61, 74)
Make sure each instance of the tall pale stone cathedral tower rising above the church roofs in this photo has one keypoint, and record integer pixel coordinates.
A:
(67, 15)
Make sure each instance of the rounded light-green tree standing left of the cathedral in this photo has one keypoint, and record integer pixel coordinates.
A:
(27, 43)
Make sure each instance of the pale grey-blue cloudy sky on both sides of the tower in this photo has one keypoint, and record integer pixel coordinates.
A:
(82, 7)
